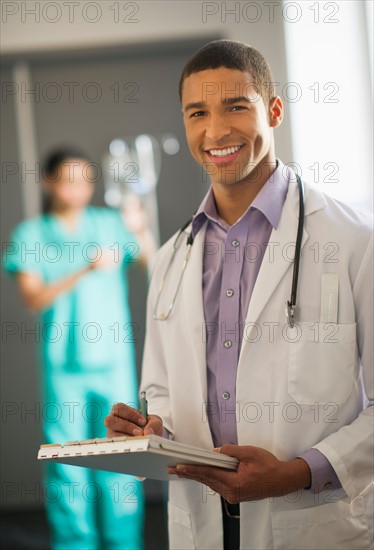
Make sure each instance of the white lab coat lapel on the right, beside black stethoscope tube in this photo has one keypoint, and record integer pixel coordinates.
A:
(277, 258)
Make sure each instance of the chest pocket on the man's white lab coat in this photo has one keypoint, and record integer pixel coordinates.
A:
(322, 359)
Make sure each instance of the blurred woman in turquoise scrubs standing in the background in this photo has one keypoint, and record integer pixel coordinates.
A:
(76, 282)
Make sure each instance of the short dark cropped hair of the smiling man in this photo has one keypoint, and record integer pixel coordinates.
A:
(232, 55)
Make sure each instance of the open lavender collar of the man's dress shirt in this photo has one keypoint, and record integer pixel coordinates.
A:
(269, 200)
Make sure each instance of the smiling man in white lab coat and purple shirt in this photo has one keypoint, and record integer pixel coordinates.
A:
(223, 368)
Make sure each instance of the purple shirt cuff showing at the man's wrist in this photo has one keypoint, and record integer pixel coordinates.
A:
(323, 474)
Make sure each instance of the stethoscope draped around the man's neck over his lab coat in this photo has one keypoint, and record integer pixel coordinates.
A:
(290, 304)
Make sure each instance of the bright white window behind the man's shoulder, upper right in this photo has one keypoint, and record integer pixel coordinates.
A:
(330, 98)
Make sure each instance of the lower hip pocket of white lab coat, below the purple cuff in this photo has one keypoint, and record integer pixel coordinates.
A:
(334, 526)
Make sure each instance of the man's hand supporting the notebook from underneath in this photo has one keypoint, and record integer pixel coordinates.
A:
(259, 475)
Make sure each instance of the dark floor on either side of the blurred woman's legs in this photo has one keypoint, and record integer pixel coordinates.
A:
(28, 530)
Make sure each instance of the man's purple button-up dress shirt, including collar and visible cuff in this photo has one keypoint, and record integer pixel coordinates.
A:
(231, 262)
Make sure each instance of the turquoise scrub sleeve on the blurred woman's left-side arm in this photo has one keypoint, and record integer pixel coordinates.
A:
(23, 251)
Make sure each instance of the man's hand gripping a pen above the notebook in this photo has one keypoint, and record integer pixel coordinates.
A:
(124, 420)
